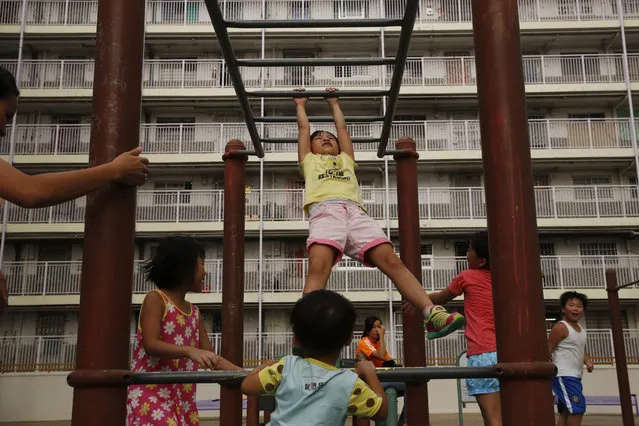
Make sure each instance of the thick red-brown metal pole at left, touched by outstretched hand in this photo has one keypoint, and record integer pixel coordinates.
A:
(109, 232)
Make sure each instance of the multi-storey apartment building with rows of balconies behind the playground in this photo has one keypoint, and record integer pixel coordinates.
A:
(581, 141)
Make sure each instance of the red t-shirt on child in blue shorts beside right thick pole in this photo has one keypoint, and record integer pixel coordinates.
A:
(476, 286)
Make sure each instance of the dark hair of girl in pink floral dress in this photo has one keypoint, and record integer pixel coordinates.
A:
(174, 263)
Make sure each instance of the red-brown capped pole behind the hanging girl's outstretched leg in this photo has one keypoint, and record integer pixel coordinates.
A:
(416, 396)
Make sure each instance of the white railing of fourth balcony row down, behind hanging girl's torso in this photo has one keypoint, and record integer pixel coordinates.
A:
(280, 205)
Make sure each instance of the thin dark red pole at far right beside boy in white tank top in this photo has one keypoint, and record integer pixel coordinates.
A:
(620, 348)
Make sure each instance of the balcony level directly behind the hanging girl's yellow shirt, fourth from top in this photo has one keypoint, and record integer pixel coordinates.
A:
(446, 208)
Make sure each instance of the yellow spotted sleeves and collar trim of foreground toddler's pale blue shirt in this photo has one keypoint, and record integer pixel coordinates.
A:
(363, 402)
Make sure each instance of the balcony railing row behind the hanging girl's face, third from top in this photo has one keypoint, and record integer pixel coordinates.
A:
(207, 138)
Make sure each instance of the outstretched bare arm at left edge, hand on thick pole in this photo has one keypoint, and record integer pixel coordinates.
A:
(53, 188)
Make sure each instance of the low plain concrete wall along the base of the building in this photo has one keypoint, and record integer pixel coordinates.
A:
(46, 397)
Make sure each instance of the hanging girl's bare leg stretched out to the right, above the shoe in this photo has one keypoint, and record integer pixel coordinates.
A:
(385, 259)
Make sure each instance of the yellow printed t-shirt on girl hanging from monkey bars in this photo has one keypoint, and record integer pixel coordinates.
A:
(329, 176)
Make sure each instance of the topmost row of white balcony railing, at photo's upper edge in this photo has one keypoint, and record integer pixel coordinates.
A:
(193, 12)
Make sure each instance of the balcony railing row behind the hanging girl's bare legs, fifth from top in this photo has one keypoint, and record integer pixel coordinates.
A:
(38, 278)
